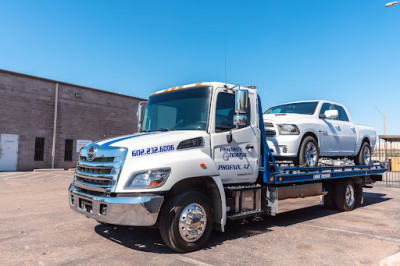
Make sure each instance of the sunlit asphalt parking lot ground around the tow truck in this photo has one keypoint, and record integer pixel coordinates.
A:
(37, 227)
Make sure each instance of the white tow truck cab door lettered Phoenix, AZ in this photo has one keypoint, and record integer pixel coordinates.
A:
(236, 161)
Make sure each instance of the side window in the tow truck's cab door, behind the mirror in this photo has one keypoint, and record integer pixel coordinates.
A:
(225, 112)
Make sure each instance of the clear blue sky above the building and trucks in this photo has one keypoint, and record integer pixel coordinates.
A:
(340, 50)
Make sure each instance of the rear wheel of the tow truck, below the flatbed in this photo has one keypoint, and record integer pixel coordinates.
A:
(345, 195)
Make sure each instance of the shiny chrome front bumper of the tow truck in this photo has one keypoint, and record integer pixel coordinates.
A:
(134, 211)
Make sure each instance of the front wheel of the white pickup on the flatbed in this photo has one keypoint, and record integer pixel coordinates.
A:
(308, 153)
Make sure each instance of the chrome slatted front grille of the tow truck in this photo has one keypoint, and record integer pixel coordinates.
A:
(99, 176)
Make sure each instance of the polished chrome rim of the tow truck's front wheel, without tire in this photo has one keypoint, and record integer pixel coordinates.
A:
(192, 222)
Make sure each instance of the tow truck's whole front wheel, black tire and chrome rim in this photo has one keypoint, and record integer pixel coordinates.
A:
(186, 222)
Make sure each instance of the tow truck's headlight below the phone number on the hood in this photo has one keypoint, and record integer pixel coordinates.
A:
(149, 179)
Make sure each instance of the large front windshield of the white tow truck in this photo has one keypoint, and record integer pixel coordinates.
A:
(185, 109)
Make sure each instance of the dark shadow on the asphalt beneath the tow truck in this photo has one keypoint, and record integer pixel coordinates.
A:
(149, 240)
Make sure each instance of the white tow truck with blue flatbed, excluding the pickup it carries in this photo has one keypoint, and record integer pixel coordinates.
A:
(199, 159)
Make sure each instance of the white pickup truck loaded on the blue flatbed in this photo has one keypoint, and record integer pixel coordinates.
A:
(305, 131)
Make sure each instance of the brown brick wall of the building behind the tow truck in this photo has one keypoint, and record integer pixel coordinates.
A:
(27, 110)
